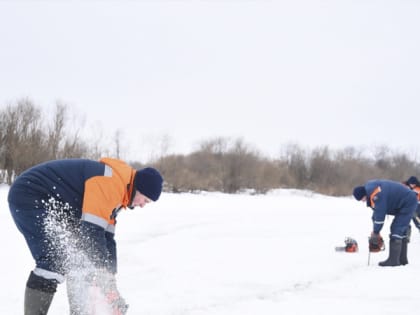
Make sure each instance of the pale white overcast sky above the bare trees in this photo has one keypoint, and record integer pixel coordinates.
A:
(313, 72)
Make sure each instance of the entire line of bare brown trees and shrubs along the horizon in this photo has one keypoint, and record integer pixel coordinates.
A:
(228, 165)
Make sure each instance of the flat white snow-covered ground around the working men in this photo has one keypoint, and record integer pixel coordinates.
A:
(218, 254)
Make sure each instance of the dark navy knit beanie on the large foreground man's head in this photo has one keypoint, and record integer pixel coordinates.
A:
(148, 181)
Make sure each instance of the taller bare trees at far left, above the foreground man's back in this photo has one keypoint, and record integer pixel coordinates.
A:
(26, 141)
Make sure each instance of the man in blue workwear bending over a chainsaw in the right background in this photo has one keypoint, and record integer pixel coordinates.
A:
(389, 197)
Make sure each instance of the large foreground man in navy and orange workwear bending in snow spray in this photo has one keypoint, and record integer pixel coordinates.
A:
(66, 210)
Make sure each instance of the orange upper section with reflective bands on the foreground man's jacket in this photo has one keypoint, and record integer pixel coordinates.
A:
(107, 193)
